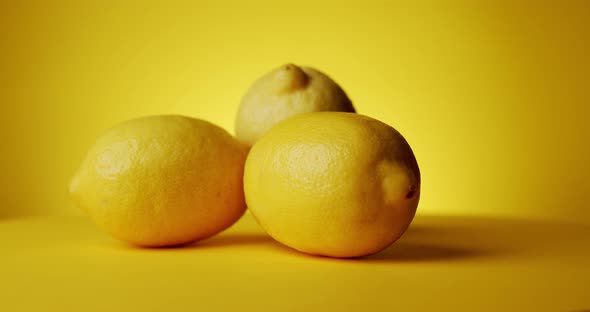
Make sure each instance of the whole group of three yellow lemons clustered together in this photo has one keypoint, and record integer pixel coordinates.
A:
(315, 175)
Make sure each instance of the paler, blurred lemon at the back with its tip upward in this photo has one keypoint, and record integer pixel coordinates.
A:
(283, 93)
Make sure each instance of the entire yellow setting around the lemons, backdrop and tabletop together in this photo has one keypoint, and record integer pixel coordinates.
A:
(492, 95)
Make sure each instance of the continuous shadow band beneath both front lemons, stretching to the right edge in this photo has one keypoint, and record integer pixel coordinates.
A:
(429, 238)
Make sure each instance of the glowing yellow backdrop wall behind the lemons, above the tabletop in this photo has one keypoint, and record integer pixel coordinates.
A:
(493, 98)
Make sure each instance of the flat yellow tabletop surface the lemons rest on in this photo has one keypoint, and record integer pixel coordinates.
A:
(441, 264)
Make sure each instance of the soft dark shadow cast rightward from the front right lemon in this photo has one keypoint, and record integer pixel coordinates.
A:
(437, 238)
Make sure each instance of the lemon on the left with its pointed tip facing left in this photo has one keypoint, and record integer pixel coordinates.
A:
(162, 180)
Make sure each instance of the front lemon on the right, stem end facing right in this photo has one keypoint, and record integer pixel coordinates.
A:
(333, 184)
